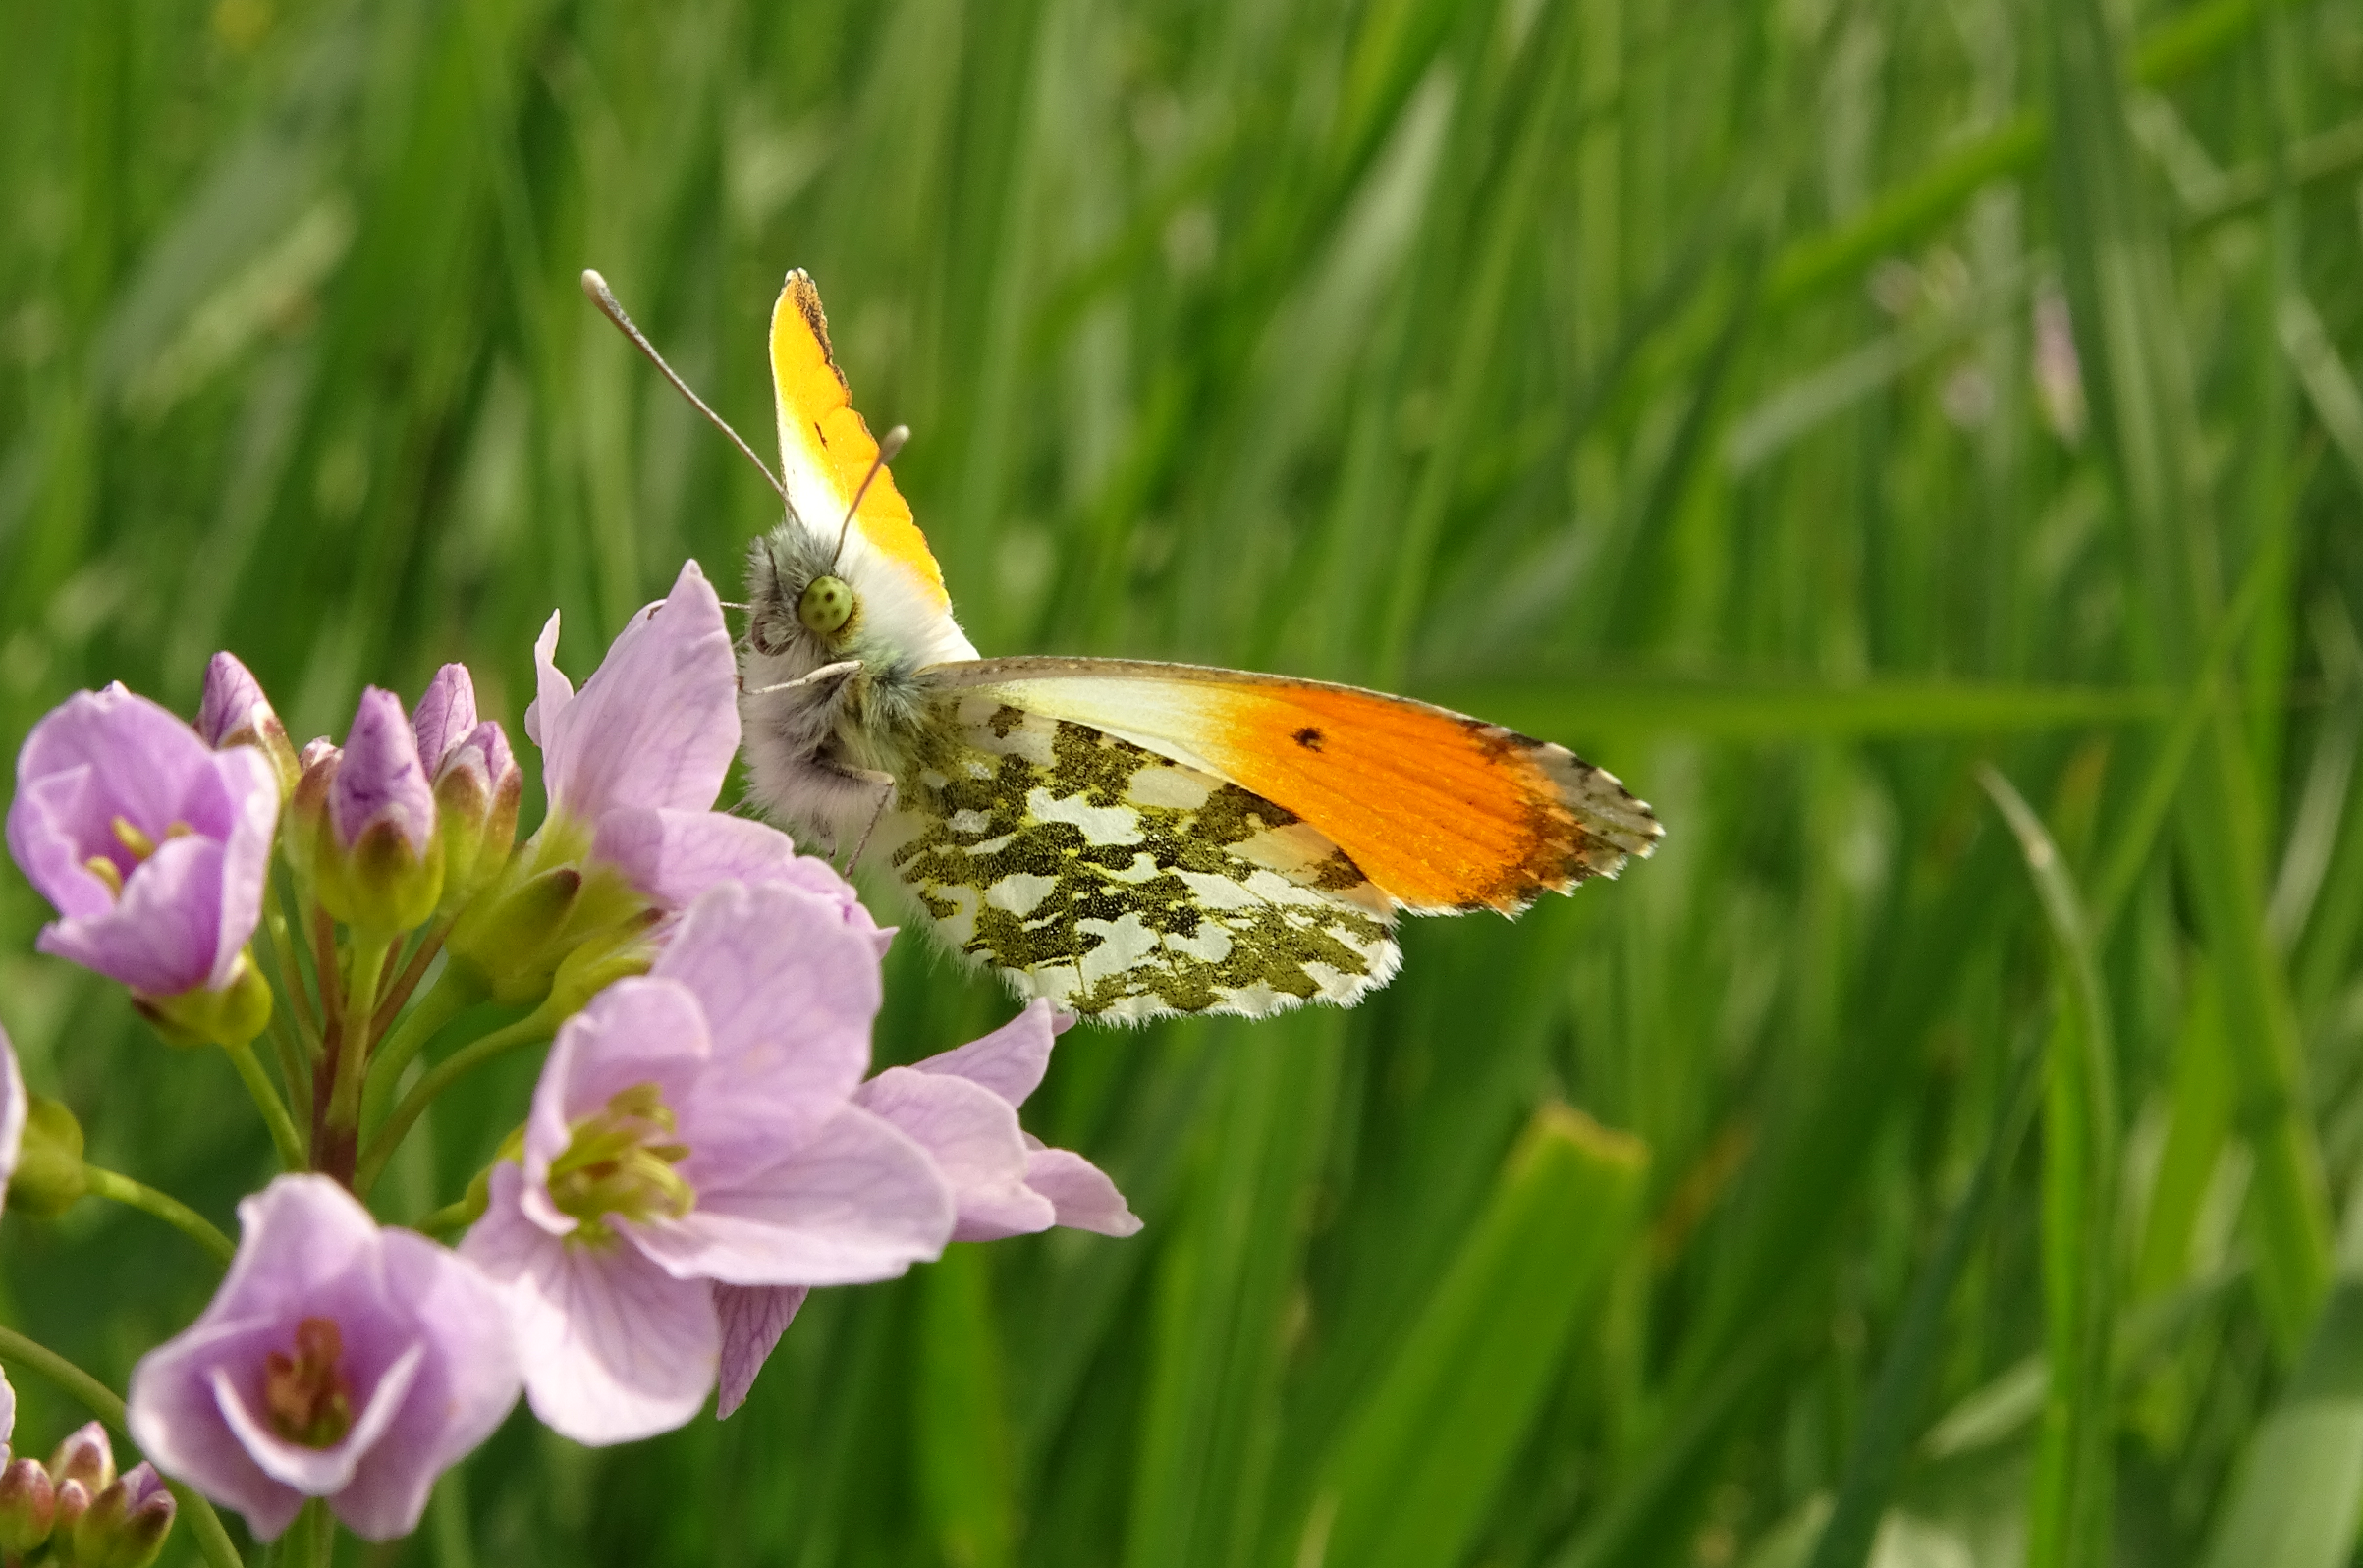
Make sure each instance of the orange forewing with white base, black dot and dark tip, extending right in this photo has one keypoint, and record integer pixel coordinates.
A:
(1440, 811)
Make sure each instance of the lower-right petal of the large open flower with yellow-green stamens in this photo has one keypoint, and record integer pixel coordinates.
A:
(857, 1201)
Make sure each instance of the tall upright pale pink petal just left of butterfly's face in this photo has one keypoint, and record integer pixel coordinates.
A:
(658, 721)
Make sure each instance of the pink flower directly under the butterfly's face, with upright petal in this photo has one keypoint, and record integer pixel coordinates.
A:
(642, 752)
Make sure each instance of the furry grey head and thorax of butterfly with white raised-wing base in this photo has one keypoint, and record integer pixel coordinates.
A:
(812, 747)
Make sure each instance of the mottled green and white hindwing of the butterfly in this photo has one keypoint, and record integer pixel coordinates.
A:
(1121, 884)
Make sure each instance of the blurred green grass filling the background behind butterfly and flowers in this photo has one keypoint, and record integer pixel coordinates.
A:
(1679, 381)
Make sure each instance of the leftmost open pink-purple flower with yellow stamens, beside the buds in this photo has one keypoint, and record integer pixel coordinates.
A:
(150, 844)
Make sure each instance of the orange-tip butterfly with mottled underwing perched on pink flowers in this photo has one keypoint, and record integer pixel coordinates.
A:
(1126, 839)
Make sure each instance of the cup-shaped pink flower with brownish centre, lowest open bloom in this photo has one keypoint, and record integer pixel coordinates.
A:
(337, 1361)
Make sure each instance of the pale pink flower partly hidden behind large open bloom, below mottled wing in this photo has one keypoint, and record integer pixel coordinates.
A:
(963, 1109)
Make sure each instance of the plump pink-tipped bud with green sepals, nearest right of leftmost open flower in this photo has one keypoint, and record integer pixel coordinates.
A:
(379, 858)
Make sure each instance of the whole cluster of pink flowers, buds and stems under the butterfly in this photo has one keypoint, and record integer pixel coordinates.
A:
(705, 1146)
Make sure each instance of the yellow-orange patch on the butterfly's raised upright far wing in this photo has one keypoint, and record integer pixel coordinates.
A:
(826, 450)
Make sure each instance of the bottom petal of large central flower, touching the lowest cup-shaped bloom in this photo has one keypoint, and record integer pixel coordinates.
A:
(613, 1347)
